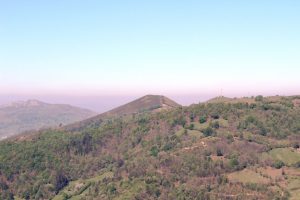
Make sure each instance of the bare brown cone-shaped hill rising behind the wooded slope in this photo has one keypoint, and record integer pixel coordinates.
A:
(148, 103)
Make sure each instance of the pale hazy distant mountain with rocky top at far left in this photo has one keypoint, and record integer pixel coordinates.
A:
(17, 117)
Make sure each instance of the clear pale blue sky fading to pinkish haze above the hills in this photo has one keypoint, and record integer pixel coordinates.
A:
(131, 48)
